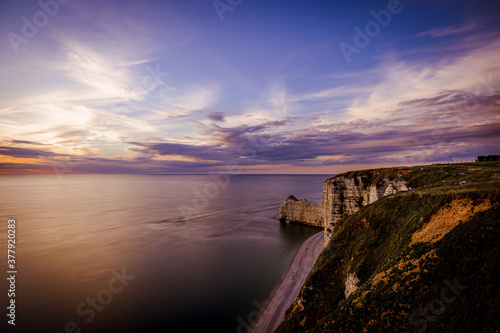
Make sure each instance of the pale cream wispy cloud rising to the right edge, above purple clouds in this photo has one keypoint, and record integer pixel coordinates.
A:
(477, 72)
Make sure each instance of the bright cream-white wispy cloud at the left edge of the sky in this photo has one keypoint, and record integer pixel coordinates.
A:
(93, 100)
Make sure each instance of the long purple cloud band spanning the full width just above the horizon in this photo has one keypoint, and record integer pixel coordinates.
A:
(441, 132)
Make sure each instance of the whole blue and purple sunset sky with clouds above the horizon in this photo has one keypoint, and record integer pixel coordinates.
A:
(258, 87)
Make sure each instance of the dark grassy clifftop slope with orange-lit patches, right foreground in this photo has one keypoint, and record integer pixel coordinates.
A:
(422, 260)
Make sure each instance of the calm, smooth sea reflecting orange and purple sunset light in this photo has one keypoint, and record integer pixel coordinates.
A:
(116, 253)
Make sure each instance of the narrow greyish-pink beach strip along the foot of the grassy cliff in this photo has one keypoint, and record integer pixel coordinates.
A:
(290, 285)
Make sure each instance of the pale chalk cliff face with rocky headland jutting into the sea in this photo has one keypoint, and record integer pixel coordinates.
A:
(344, 195)
